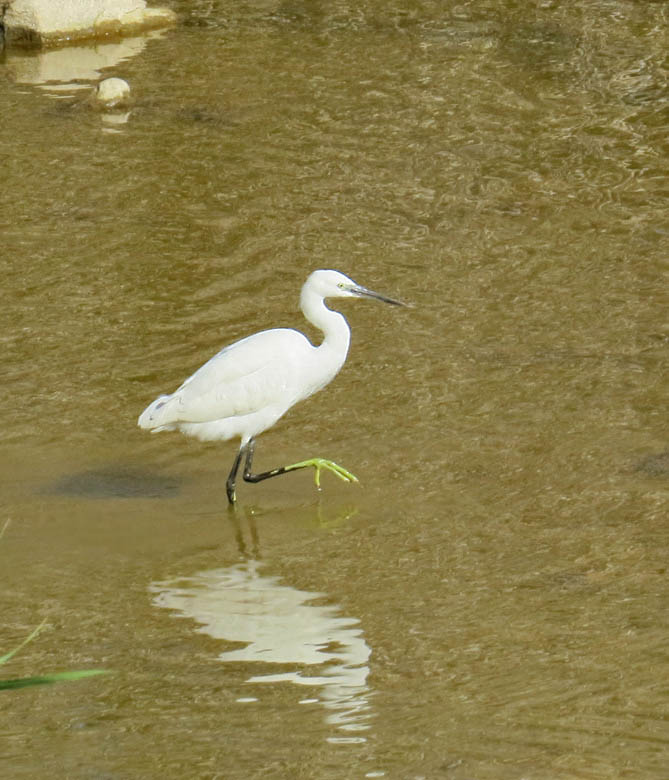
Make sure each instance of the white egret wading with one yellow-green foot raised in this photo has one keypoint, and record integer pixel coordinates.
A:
(245, 388)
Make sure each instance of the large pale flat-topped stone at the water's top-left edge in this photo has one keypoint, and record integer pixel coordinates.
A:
(48, 21)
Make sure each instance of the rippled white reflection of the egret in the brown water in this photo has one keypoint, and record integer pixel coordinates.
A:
(283, 634)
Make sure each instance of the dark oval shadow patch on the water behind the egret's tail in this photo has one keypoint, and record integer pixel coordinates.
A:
(114, 482)
